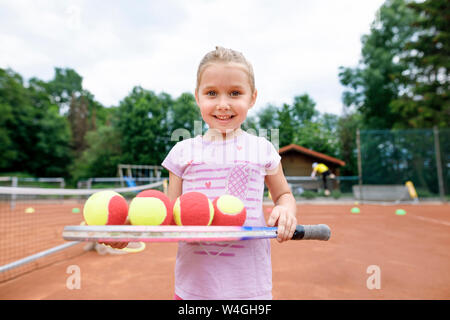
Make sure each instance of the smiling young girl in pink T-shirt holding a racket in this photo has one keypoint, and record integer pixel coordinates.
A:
(228, 160)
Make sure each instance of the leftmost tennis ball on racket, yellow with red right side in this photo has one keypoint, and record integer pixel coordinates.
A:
(105, 208)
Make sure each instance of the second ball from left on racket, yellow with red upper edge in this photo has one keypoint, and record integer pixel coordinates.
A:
(150, 207)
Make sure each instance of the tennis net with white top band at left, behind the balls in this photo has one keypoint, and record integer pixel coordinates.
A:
(32, 221)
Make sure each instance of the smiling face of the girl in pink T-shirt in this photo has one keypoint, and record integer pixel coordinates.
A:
(224, 96)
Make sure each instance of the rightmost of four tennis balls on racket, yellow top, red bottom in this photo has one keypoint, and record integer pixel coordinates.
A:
(228, 211)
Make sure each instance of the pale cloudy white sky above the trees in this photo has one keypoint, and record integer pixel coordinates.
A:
(295, 46)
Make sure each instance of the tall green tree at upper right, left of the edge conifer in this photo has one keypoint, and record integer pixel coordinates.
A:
(371, 88)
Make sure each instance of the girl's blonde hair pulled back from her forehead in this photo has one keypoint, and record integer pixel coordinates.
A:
(224, 55)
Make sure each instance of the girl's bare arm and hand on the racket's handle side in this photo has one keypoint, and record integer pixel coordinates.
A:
(284, 214)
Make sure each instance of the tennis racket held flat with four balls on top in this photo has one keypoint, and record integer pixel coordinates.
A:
(127, 233)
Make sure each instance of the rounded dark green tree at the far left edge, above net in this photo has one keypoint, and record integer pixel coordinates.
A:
(35, 135)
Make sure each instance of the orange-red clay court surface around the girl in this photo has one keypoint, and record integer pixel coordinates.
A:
(411, 251)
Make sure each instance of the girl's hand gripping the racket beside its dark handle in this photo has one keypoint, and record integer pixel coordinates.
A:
(285, 220)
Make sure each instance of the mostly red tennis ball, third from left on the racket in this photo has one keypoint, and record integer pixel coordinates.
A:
(193, 209)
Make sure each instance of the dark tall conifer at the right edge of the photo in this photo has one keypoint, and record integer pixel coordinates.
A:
(425, 98)
